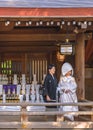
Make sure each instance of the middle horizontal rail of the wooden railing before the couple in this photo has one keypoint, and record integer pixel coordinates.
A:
(44, 113)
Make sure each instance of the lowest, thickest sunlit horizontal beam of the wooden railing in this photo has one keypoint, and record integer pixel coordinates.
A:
(40, 125)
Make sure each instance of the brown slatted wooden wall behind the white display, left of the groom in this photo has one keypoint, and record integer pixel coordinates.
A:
(26, 63)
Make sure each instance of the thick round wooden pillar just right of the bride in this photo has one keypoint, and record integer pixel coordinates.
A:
(80, 65)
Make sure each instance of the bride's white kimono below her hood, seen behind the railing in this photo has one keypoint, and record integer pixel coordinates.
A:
(68, 83)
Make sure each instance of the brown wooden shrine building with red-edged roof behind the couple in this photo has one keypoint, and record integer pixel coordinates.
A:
(31, 36)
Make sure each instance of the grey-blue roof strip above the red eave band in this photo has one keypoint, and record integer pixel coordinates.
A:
(46, 3)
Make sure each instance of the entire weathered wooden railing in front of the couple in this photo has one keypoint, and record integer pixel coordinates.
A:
(24, 115)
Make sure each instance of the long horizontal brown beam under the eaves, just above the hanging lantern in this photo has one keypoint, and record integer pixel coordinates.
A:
(35, 37)
